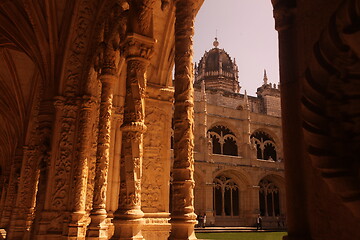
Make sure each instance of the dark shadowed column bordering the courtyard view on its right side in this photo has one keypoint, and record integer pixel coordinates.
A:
(296, 194)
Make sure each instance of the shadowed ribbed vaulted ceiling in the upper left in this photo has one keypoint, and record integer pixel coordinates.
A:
(33, 35)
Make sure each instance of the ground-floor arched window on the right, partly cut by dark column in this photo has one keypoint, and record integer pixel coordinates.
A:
(269, 199)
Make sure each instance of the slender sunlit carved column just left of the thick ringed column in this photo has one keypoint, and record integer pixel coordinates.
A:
(98, 227)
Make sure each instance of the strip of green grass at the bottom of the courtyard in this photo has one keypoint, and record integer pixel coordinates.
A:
(243, 236)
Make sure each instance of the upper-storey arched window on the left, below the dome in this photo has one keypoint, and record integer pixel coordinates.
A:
(223, 141)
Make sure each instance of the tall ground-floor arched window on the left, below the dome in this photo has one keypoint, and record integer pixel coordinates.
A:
(226, 197)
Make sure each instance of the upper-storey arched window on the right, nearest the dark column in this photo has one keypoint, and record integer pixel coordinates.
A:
(265, 146)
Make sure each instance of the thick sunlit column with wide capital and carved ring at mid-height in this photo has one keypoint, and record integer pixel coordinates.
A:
(128, 217)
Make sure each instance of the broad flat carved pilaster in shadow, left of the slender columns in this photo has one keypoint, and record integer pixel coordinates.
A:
(54, 214)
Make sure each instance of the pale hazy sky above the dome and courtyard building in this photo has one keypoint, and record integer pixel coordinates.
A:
(245, 29)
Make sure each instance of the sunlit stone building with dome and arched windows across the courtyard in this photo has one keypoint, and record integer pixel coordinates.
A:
(238, 146)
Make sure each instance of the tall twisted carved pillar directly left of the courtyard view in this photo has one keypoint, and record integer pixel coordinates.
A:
(183, 217)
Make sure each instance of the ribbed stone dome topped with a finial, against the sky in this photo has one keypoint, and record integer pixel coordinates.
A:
(217, 70)
